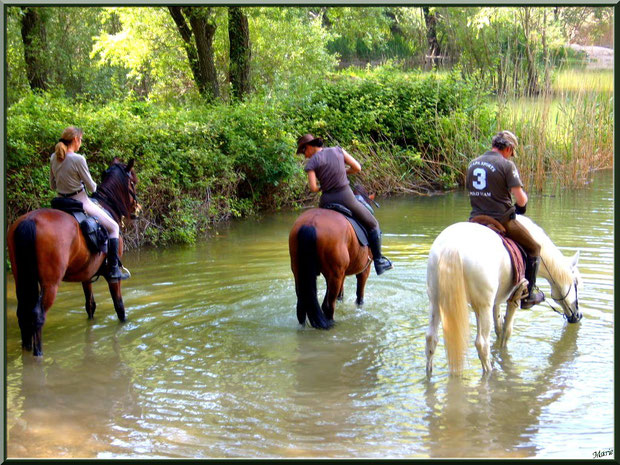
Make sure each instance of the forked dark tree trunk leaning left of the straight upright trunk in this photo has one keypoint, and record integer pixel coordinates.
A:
(198, 41)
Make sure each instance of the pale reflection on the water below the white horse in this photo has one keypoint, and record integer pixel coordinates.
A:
(509, 407)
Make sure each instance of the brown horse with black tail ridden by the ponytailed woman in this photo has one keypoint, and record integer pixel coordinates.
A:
(46, 246)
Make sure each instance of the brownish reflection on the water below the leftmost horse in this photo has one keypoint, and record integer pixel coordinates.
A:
(65, 409)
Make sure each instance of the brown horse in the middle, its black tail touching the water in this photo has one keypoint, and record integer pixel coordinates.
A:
(323, 242)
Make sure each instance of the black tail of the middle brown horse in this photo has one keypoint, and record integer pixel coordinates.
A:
(308, 270)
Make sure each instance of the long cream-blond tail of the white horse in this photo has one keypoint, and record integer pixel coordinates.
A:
(453, 308)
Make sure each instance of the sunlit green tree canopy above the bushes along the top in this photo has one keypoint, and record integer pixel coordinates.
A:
(163, 53)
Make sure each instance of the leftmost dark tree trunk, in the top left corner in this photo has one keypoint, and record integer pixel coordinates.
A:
(35, 45)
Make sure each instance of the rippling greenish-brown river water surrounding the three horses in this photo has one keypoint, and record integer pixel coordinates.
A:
(212, 362)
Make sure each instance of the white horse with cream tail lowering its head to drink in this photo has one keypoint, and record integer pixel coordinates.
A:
(468, 263)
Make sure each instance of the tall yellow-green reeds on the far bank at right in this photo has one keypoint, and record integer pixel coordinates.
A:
(567, 133)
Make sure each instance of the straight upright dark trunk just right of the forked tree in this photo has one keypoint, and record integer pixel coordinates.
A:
(240, 52)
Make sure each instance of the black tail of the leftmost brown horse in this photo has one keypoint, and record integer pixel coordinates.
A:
(29, 311)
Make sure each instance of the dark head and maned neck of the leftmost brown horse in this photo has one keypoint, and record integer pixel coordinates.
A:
(118, 189)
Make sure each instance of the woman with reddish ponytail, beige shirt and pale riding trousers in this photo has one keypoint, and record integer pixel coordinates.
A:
(69, 176)
